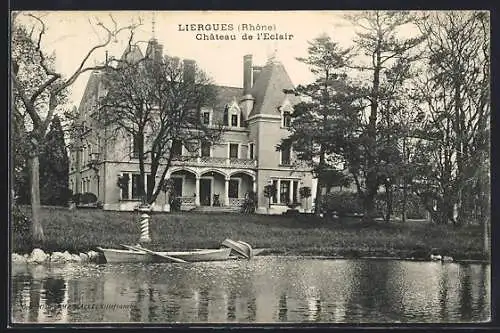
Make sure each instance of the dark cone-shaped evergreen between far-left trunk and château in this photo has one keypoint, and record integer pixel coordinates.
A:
(54, 167)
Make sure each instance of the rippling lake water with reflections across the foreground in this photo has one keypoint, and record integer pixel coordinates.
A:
(266, 289)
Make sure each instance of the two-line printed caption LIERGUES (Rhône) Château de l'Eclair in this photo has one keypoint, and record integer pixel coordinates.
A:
(231, 31)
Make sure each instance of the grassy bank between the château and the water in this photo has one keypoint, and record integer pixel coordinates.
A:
(84, 229)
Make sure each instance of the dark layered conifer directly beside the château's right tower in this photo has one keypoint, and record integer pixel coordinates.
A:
(320, 120)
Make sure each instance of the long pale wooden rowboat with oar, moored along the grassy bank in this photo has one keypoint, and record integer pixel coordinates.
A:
(136, 256)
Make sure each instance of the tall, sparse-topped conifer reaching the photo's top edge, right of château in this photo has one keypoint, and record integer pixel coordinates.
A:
(389, 59)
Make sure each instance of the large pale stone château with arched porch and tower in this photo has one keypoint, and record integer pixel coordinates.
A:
(256, 117)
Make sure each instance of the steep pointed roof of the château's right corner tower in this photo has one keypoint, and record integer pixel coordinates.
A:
(268, 89)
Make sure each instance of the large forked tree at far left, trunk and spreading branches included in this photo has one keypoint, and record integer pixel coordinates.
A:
(38, 90)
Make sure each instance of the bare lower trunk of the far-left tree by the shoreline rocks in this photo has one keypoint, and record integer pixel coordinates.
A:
(37, 230)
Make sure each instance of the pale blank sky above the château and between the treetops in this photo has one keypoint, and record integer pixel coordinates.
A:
(70, 35)
